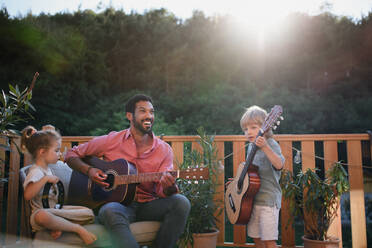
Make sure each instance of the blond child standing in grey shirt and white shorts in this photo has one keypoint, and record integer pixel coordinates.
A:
(263, 224)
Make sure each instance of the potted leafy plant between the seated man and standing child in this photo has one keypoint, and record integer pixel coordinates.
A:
(201, 223)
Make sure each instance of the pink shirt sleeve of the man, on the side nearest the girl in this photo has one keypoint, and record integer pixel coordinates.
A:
(94, 147)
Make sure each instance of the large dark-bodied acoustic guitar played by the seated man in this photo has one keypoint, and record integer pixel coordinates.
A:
(122, 178)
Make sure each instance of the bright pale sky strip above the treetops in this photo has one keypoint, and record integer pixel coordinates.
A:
(247, 10)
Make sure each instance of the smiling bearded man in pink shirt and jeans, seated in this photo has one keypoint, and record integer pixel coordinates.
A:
(158, 201)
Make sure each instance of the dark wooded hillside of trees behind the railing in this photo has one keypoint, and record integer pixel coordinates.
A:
(201, 71)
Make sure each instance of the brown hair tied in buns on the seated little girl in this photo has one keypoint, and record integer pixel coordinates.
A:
(33, 140)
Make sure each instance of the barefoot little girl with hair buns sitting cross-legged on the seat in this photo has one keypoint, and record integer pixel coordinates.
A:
(44, 146)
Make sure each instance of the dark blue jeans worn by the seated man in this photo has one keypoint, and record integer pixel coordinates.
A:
(172, 211)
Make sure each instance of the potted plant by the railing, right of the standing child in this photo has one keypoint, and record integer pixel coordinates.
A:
(315, 201)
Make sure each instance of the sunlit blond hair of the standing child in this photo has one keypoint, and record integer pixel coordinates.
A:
(255, 115)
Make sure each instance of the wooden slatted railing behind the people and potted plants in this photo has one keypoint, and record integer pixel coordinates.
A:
(323, 149)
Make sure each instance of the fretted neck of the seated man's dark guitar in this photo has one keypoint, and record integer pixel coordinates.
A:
(143, 177)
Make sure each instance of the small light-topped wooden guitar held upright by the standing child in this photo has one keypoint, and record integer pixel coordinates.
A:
(241, 191)
